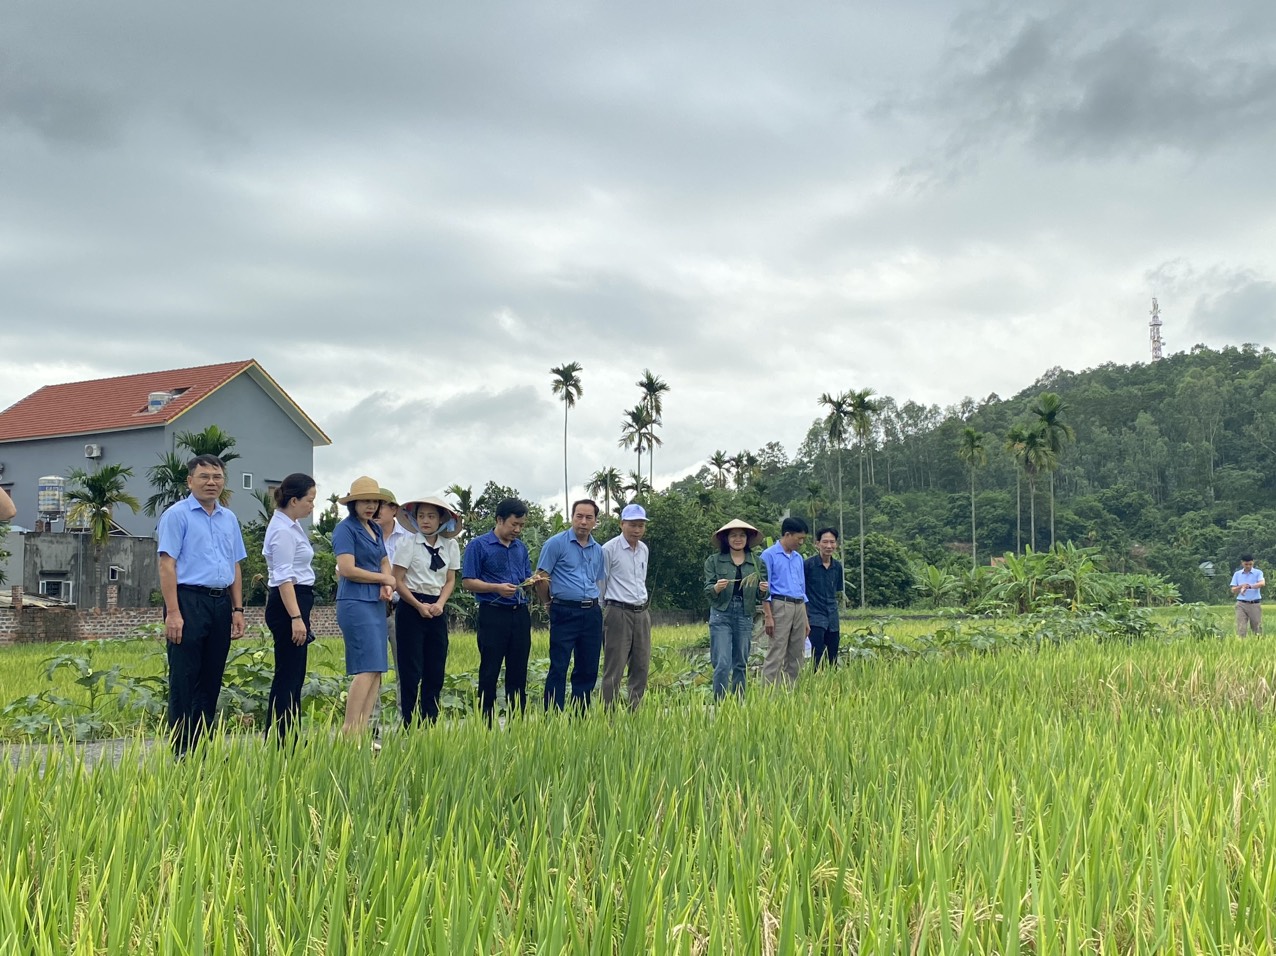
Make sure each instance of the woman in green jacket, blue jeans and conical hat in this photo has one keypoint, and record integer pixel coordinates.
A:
(734, 578)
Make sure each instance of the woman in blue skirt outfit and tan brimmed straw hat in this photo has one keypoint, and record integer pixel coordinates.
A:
(364, 584)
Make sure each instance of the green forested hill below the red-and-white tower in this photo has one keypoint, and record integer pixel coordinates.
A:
(1172, 464)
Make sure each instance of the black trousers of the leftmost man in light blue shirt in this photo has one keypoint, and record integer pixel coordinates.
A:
(196, 666)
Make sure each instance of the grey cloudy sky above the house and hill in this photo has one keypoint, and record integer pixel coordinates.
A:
(410, 213)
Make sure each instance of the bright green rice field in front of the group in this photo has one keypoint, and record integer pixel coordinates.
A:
(1089, 797)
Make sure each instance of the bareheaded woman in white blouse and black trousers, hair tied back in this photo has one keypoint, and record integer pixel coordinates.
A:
(289, 556)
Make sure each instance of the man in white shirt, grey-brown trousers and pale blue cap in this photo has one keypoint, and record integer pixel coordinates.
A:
(626, 620)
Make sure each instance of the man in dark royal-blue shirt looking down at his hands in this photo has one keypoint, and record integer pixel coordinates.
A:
(494, 570)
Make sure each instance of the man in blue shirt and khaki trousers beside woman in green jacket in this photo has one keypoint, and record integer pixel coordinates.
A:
(785, 609)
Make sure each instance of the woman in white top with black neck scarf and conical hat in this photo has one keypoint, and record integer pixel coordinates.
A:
(426, 572)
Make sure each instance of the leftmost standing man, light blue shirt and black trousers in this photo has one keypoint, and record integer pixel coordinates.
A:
(201, 549)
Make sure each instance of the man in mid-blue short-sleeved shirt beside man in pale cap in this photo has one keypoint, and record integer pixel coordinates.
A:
(574, 562)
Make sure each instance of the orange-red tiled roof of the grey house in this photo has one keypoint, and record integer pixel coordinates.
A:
(114, 404)
